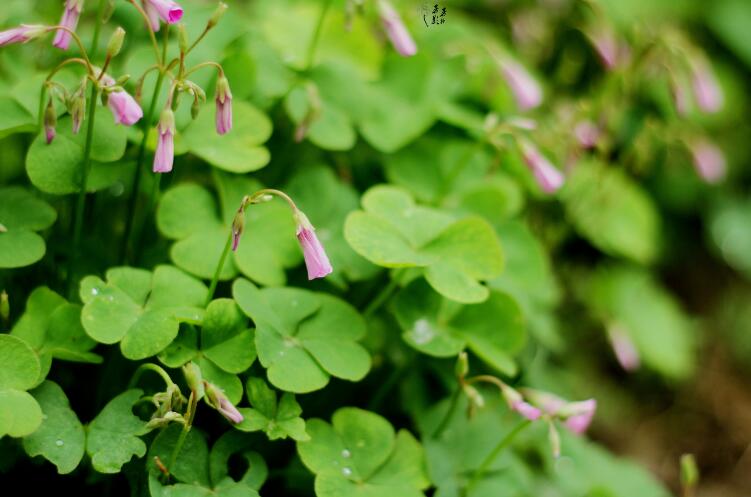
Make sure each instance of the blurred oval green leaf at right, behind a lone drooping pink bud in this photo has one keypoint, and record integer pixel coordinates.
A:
(662, 333)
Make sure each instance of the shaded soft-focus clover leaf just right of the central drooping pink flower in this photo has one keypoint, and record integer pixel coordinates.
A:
(329, 212)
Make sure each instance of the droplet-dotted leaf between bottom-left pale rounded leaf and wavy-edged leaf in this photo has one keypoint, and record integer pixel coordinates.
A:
(60, 439)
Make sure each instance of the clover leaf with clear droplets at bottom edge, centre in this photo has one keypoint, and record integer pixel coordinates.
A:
(358, 454)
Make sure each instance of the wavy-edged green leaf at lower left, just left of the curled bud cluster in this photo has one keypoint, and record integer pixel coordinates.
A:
(113, 436)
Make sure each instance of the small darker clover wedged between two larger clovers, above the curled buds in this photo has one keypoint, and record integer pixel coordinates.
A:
(227, 347)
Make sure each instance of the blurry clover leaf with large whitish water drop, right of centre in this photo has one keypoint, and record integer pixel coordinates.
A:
(494, 329)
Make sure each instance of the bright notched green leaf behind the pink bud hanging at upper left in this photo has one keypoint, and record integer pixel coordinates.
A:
(238, 151)
